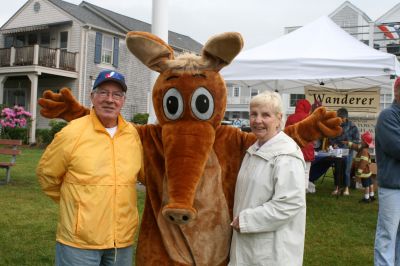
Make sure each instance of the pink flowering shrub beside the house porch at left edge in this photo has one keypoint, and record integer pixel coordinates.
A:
(14, 117)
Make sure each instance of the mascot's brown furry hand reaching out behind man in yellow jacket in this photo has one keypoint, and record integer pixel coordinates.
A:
(61, 105)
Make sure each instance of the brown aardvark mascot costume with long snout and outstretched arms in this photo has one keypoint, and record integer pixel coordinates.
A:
(191, 161)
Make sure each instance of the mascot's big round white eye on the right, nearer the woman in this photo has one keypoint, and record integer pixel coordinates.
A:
(202, 103)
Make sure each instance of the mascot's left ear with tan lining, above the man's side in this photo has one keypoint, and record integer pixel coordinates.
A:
(149, 49)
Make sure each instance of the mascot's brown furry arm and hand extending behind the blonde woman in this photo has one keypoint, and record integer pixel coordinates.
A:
(320, 123)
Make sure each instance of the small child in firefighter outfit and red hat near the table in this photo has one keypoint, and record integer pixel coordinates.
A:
(361, 165)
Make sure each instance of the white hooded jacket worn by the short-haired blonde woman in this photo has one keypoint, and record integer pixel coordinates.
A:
(270, 202)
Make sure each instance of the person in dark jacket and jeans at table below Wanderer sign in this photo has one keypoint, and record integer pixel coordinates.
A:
(350, 133)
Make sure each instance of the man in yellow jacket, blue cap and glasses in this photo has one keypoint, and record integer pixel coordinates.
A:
(90, 169)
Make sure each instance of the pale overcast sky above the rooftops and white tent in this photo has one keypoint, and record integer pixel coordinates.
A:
(259, 21)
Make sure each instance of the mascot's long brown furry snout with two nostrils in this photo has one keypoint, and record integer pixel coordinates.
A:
(184, 166)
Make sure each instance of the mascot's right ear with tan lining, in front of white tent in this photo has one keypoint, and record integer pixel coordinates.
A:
(221, 49)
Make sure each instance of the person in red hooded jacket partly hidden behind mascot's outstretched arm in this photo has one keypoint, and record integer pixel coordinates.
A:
(303, 109)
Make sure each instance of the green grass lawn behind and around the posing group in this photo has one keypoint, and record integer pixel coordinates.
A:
(340, 231)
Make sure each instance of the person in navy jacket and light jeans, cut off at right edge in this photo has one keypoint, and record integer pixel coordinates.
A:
(387, 141)
